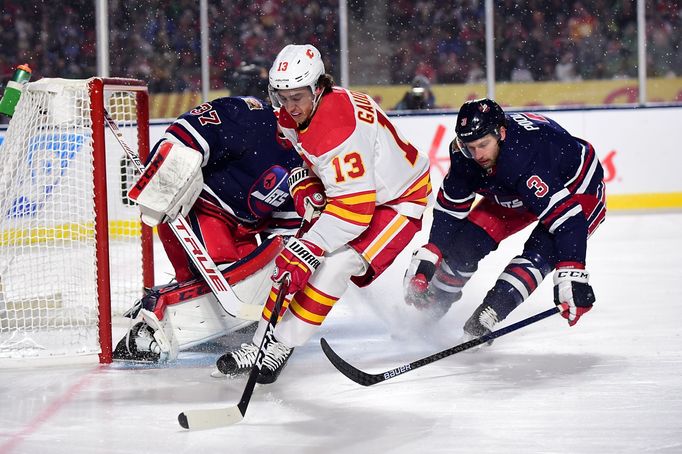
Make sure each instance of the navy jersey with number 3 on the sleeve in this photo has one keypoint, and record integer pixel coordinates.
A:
(540, 168)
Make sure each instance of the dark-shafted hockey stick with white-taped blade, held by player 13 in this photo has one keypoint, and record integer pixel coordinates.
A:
(220, 417)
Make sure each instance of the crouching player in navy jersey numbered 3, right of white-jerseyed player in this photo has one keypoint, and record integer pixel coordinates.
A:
(525, 168)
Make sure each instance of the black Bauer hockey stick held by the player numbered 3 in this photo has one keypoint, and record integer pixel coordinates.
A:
(366, 379)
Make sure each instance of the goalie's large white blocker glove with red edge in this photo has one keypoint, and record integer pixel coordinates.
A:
(169, 185)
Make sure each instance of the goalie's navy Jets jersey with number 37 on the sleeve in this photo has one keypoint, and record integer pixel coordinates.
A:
(245, 168)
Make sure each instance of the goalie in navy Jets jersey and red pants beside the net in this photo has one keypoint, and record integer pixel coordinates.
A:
(224, 167)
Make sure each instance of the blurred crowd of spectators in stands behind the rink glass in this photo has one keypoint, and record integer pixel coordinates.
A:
(159, 40)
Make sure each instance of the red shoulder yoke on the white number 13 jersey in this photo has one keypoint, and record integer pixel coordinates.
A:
(333, 123)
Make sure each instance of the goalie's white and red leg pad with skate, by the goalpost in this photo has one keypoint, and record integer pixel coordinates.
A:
(179, 316)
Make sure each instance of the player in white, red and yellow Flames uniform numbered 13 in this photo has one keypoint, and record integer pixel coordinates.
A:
(377, 187)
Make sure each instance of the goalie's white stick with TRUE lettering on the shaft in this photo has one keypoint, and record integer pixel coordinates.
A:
(194, 249)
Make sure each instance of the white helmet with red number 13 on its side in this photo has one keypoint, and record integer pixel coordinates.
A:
(295, 66)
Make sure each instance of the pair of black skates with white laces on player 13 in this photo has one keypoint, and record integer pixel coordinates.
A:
(241, 361)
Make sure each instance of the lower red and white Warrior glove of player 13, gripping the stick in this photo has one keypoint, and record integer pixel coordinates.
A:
(296, 263)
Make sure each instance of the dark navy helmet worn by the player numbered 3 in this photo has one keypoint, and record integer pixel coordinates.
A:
(477, 119)
